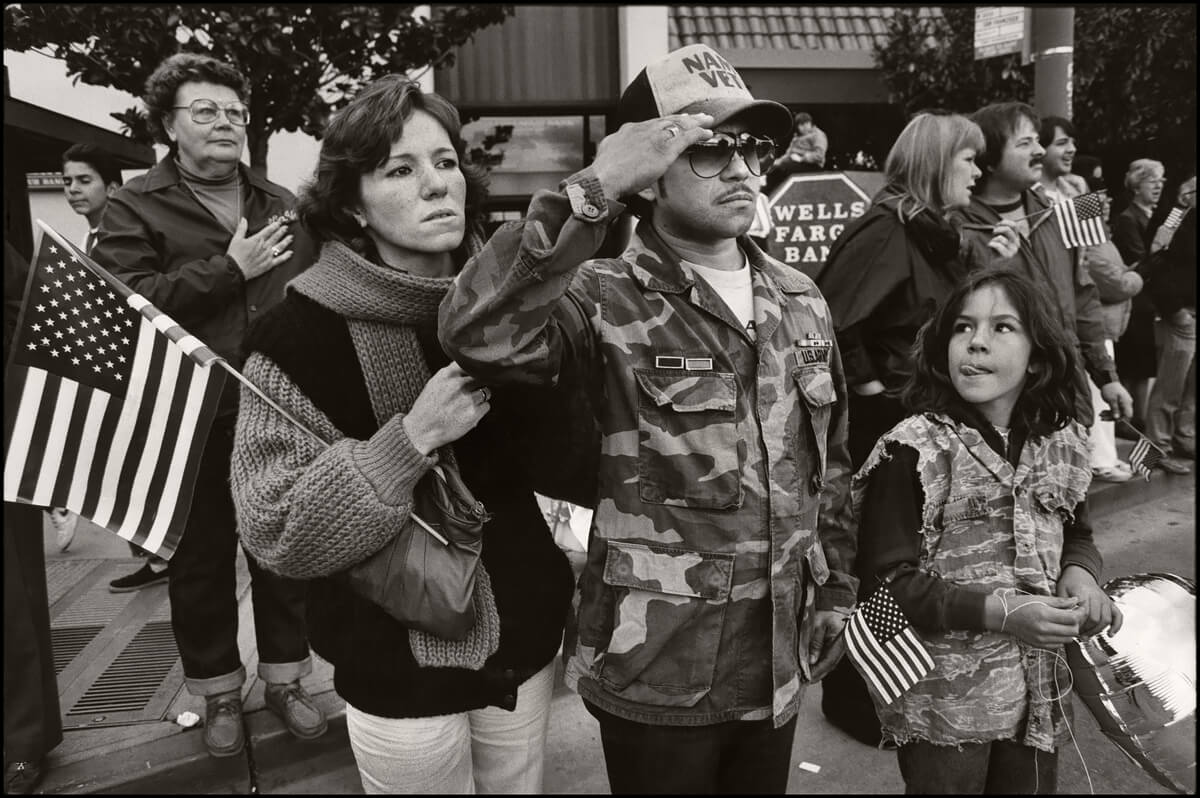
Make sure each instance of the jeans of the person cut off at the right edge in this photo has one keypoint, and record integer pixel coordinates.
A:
(1172, 415)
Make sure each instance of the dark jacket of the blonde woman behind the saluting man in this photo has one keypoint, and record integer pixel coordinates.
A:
(884, 280)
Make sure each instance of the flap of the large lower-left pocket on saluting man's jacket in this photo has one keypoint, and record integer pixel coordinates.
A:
(674, 572)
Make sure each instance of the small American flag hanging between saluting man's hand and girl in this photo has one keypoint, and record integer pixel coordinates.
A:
(884, 646)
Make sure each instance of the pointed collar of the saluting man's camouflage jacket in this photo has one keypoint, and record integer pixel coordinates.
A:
(656, 266)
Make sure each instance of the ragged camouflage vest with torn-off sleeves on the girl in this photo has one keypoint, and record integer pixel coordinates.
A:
(986, 525)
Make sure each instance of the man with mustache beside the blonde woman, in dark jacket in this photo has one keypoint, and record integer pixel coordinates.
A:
(1012, 167)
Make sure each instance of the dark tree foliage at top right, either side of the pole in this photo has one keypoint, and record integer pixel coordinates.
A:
(1135, 85)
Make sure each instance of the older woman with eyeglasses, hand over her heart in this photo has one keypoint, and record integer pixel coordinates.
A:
(212, 244)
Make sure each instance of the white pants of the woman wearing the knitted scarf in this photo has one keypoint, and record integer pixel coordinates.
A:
(488, 752)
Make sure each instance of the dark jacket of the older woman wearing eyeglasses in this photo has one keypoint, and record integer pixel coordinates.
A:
(161, 242)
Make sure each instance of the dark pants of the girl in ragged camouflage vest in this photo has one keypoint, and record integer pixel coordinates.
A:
(998, 769)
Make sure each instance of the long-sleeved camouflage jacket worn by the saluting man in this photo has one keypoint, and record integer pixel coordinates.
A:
(716, 454)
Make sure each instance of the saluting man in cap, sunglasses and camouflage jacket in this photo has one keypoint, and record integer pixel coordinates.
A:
(710, 597)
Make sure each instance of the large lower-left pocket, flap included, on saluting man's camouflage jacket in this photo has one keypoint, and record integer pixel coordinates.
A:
(668, 620)
